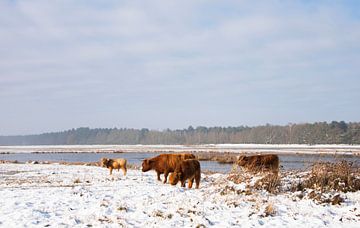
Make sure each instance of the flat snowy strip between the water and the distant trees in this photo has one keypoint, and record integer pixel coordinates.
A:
(232, 148)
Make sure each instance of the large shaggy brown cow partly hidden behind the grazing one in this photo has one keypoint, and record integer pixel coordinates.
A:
(164, 163)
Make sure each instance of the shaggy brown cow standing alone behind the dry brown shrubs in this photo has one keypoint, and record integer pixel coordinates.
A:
(259, 162)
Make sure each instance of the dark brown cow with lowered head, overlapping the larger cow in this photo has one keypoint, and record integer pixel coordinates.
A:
(186, 170)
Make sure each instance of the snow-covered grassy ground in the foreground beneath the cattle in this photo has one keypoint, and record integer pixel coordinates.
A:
(83, 196)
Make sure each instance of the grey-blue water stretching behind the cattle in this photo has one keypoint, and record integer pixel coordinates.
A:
(287, 162)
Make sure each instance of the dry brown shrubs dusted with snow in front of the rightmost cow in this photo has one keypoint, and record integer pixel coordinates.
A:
(325, 183)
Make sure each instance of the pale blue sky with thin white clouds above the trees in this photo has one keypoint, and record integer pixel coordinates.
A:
(171, 64)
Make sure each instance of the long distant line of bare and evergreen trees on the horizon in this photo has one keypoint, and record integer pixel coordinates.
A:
(307, 133)
